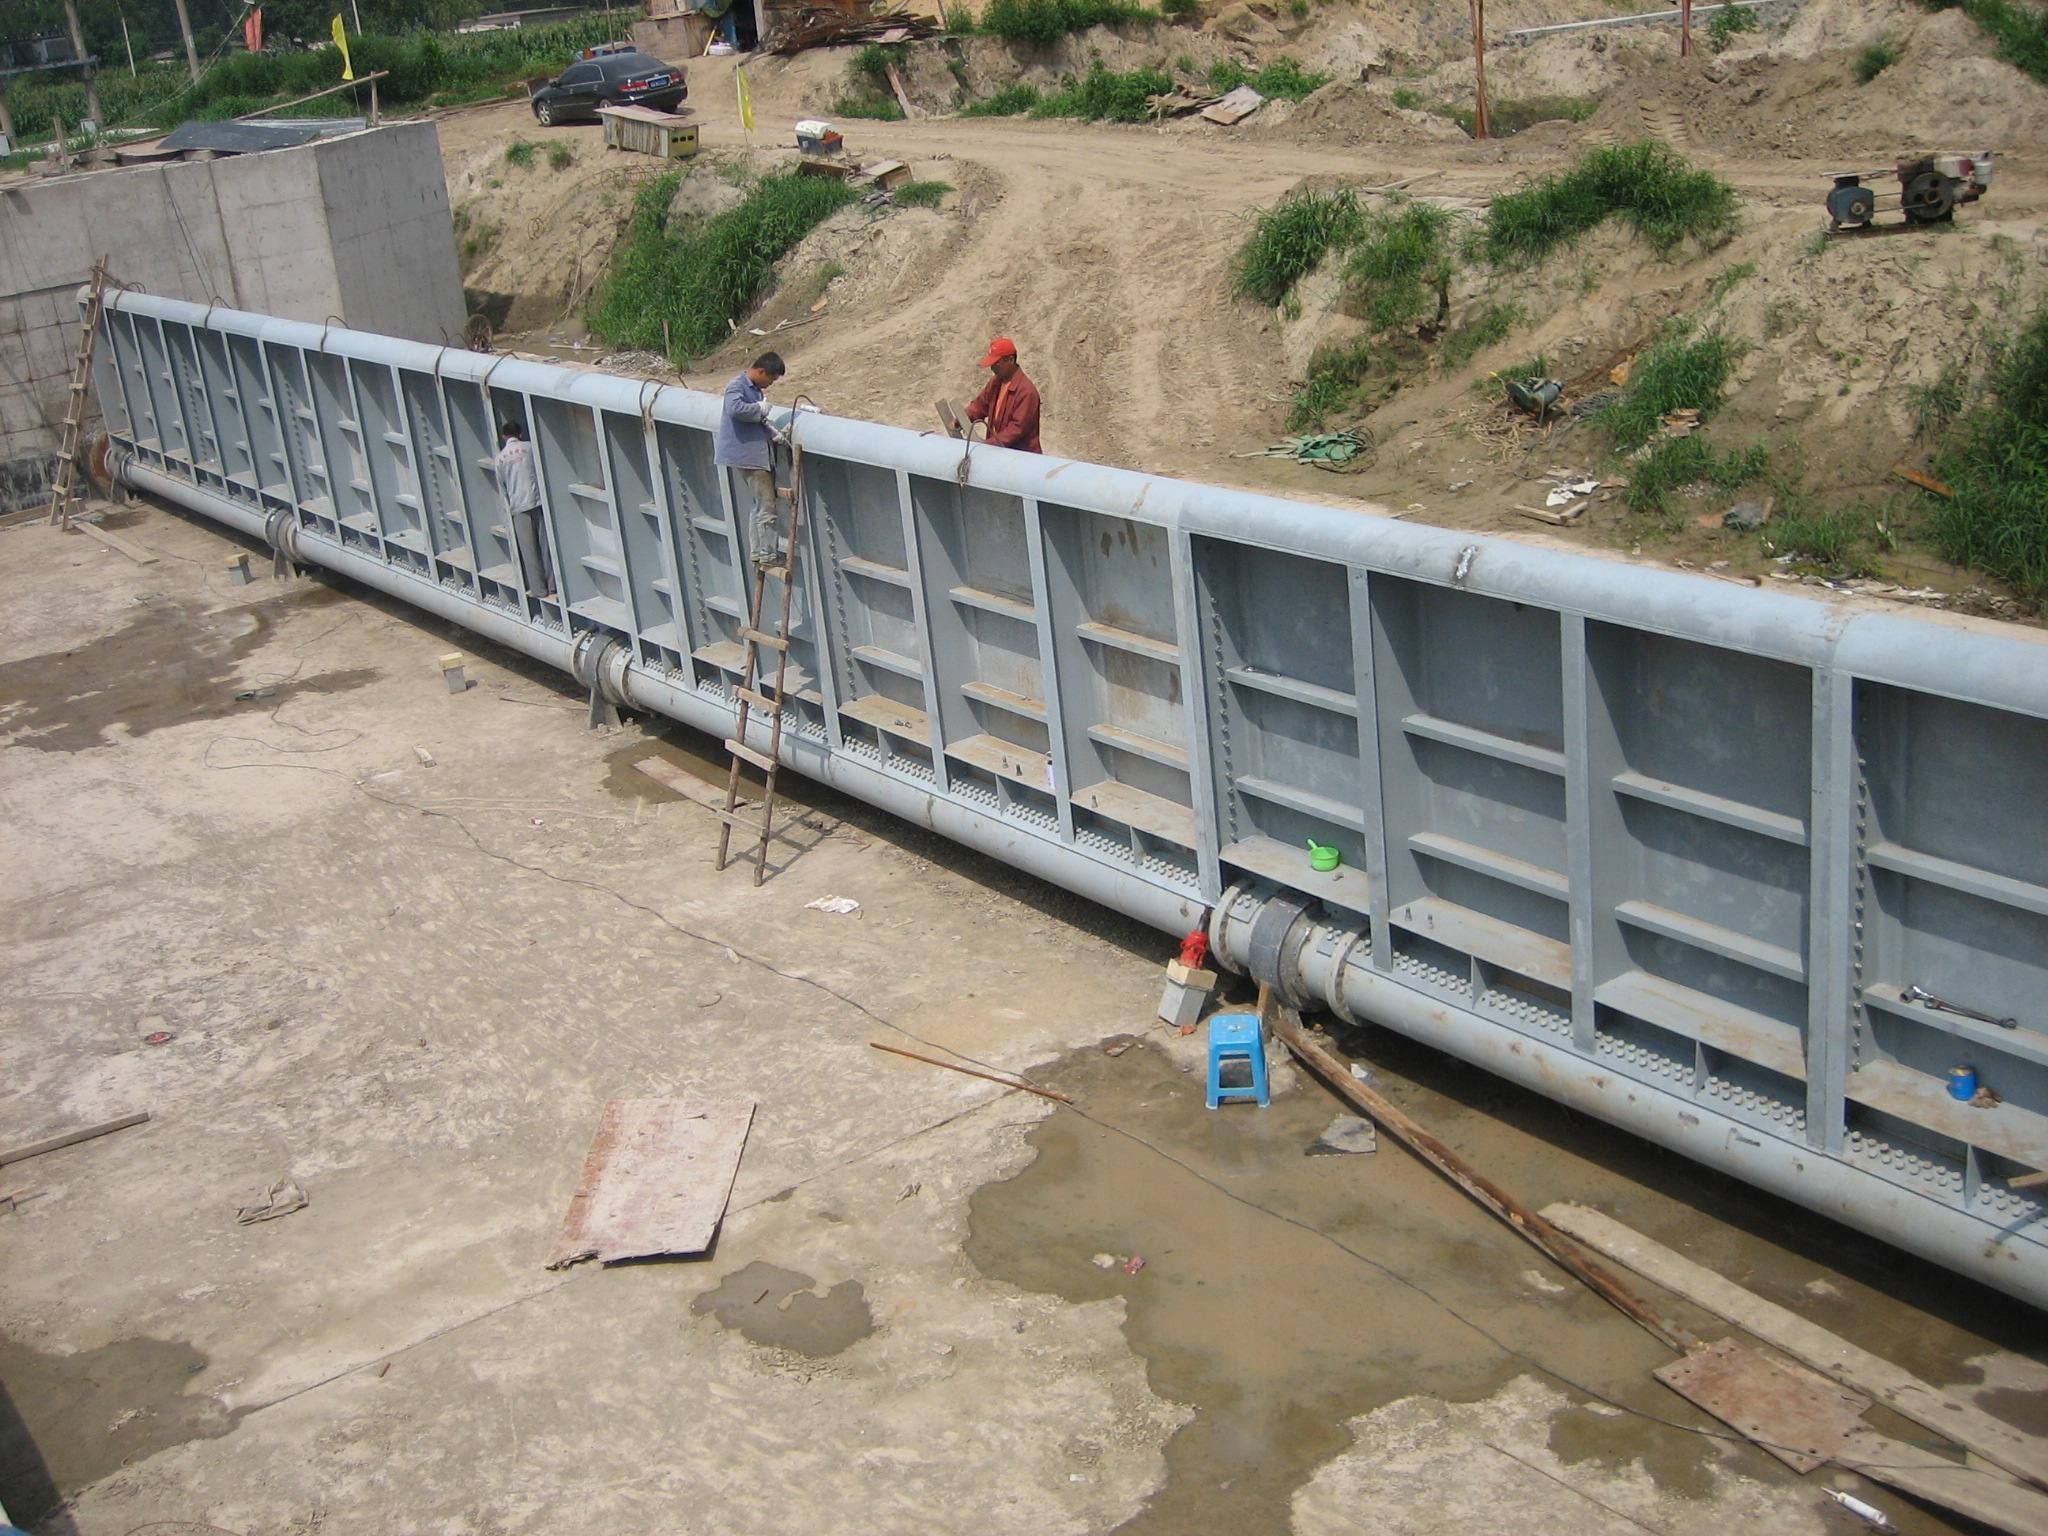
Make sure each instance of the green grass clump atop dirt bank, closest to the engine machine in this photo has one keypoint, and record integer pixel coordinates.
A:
(1646, 185)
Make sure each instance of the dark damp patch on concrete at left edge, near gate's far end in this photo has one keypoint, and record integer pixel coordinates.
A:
(167, 667)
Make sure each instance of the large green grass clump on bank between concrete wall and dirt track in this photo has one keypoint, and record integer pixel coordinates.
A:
(706, 278)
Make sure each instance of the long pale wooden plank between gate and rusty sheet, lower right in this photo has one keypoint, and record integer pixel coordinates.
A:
(1998, 1443)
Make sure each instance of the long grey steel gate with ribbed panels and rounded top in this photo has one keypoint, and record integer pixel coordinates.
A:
(1670, 851)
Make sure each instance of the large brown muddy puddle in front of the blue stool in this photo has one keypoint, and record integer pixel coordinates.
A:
(1275, 1336)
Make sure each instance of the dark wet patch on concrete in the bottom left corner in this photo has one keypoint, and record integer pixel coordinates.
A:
(71, 1420)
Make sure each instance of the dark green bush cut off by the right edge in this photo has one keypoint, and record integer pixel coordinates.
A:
(1998, 466)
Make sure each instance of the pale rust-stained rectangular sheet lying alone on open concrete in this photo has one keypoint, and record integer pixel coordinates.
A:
(656, 1181)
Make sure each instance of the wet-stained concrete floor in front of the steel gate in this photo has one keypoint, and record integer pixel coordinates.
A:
(411, 986)
